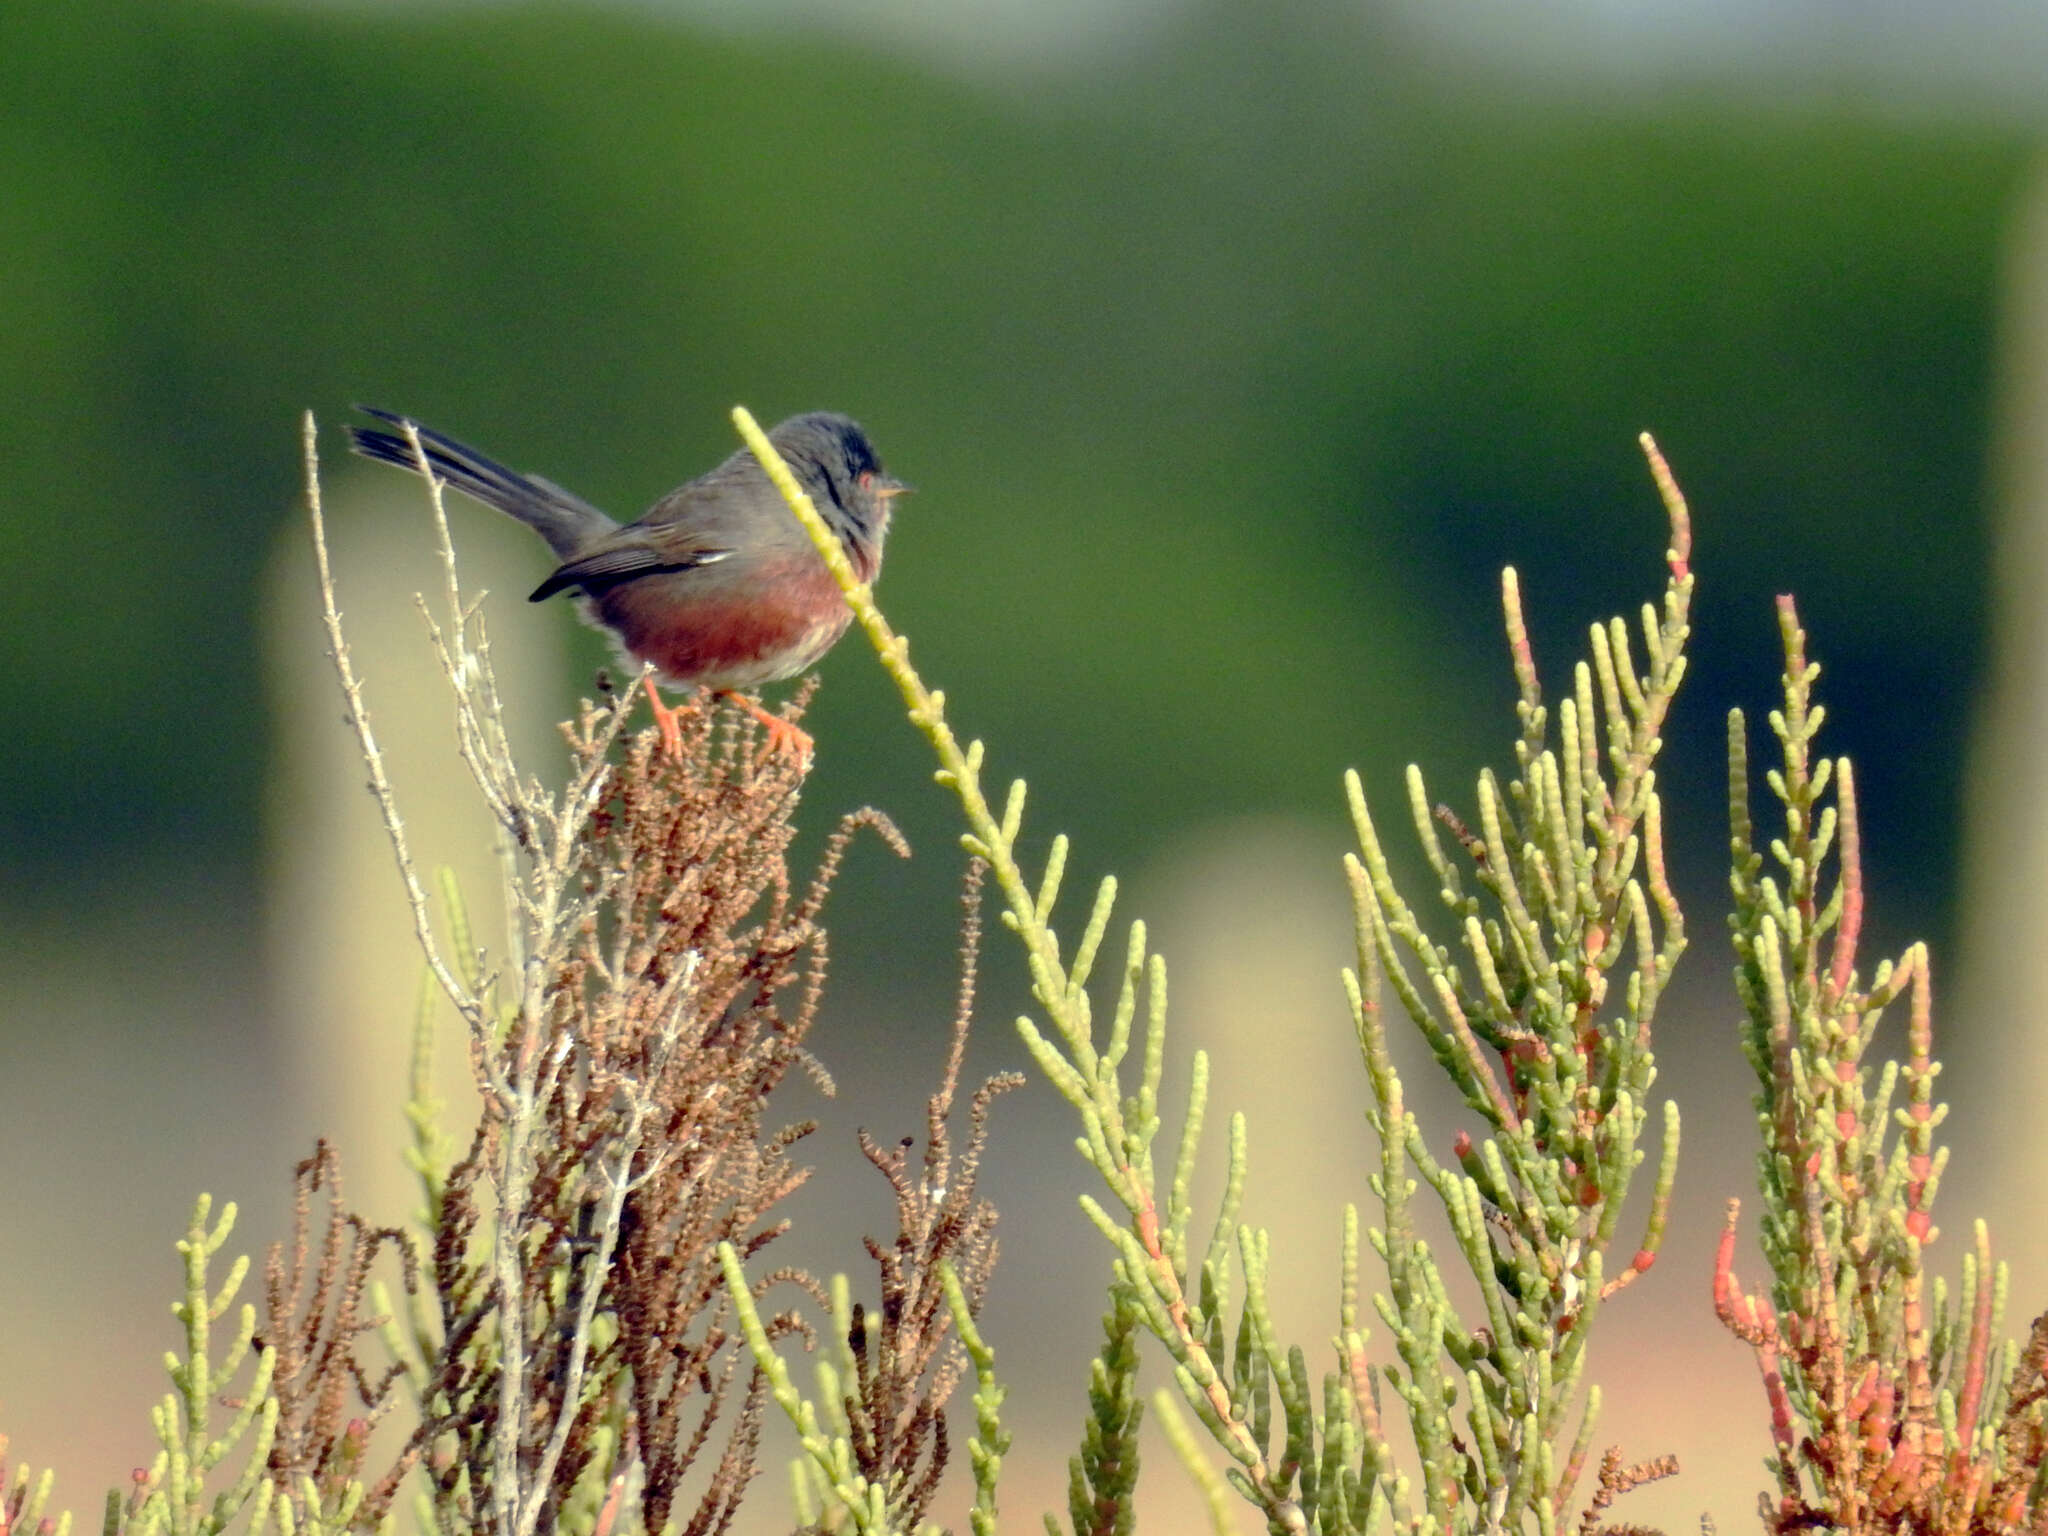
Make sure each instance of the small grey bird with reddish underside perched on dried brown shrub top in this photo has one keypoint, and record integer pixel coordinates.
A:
(718, 585)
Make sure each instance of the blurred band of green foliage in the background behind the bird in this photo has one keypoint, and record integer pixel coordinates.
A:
(1281, 308)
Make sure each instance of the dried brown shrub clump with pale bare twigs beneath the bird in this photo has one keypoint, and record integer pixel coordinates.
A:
(658, 986)
